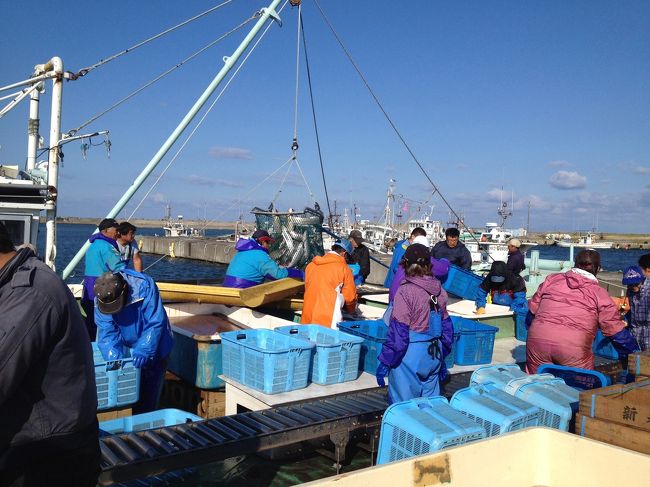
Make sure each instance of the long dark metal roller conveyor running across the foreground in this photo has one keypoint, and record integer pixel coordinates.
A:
(153, 452)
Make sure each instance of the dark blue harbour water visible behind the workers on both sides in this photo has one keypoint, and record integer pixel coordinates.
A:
(72, 237)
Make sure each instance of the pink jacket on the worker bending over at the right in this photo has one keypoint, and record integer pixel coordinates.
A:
(569, 308)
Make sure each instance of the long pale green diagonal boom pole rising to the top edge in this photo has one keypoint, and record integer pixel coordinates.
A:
(229, 62)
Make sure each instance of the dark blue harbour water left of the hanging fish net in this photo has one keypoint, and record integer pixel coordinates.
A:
(70, 238)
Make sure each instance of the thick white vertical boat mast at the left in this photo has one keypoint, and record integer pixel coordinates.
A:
(55, 65)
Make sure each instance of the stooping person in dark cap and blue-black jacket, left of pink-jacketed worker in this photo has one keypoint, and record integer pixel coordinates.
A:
(504, 287)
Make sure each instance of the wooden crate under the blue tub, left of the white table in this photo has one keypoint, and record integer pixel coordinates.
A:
(181, 395)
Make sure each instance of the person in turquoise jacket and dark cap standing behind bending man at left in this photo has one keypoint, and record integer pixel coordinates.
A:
(103, 256)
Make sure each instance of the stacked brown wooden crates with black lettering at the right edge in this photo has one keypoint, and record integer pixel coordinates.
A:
(618, 414)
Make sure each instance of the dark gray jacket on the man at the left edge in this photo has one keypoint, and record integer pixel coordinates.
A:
(47, 378)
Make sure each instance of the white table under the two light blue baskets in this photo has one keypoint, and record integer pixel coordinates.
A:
(241, 396)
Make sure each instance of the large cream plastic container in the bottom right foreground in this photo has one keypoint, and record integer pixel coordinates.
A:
(536, 457)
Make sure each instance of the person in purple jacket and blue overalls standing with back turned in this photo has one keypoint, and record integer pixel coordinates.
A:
(420, 333)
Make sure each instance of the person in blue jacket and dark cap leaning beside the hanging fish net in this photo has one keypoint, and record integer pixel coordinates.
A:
(252, 263)
